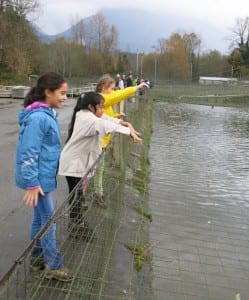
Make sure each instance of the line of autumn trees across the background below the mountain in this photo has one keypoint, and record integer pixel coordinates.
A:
(93, 50)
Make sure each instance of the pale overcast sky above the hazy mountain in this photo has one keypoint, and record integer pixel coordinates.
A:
(56, 15)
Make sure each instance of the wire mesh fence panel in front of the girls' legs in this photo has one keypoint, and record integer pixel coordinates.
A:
(81, 256)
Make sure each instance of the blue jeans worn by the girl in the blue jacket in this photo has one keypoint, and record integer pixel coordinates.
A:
(46, 246)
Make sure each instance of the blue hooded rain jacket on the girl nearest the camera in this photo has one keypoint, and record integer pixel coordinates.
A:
(38, 149)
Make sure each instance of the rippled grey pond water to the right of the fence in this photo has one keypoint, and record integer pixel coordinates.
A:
(199, 198)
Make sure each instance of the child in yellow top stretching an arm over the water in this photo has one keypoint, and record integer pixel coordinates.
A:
(106, 86)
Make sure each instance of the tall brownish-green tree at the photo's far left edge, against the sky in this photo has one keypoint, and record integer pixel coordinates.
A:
(20, 48)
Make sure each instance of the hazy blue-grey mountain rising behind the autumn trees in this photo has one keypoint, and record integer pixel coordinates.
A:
(139, 30)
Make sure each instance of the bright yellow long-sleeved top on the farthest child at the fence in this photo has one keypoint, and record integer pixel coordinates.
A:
(112, 99)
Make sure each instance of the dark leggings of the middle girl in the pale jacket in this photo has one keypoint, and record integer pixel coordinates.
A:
(76, 200)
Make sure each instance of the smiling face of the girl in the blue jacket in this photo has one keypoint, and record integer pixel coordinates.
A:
(56, 98)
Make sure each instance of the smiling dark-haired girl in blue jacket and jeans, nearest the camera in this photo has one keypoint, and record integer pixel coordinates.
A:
(37, 157)
